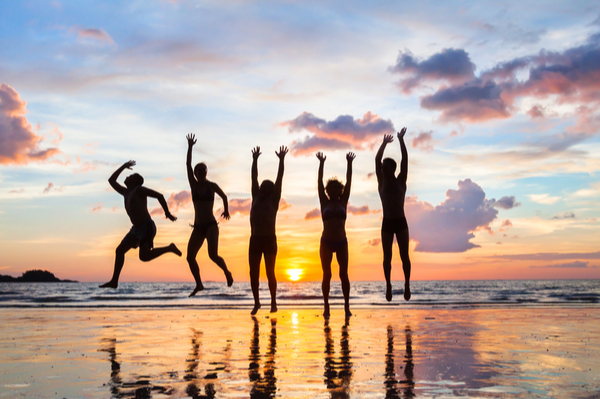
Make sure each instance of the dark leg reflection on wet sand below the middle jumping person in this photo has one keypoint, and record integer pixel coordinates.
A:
(263, 386)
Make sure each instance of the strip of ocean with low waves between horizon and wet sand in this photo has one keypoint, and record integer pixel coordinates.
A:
(364, 294)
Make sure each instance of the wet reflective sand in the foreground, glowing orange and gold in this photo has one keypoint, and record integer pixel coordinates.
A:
(391, 353)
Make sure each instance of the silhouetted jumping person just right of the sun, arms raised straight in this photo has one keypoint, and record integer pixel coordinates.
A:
(333, 239)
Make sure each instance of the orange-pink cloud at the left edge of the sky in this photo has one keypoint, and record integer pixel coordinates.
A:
(18, 143)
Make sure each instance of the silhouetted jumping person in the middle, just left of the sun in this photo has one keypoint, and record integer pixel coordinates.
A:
(263, 214)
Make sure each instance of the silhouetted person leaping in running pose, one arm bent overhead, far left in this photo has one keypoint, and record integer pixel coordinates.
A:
(143, 231)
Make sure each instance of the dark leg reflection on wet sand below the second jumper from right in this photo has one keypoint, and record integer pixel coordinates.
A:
(338, 375)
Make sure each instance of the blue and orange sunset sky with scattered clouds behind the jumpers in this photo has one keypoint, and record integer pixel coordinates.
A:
(500, 100)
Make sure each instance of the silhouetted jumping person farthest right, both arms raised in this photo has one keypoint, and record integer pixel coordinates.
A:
(392, 191)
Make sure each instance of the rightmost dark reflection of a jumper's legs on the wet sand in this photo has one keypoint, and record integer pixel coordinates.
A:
(391, 383)
